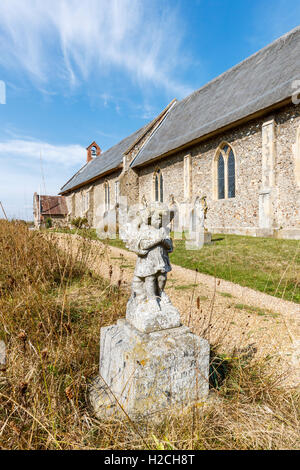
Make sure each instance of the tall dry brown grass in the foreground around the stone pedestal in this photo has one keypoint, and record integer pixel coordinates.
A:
(51, 310)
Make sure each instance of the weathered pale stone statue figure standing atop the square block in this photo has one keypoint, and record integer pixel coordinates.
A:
(149, 308)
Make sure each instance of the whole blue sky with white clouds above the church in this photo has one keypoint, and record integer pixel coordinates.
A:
(82, 70)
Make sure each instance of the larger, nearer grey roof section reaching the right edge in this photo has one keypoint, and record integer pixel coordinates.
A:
(258, 82)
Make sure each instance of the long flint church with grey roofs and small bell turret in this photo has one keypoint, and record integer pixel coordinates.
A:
(235, 141)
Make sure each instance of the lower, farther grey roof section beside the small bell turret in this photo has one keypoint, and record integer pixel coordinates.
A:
(108, 160)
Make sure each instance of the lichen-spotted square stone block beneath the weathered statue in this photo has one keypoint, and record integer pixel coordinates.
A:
(147, 373)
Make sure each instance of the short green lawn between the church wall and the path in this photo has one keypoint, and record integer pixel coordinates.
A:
(264, 264)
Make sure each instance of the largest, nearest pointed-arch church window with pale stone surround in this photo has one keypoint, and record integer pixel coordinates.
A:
(225, 172)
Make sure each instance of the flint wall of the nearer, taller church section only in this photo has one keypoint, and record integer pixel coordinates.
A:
(240, 215)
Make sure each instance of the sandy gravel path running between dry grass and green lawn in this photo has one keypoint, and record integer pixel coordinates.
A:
(238, 319)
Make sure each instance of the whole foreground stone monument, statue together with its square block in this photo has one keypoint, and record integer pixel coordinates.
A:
(149, 361)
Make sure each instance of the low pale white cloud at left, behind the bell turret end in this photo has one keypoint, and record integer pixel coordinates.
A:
(28, 166)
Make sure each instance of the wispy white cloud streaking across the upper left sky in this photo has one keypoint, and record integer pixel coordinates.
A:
(70, 40)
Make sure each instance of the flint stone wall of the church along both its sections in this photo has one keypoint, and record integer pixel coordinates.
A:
(256, 210)
